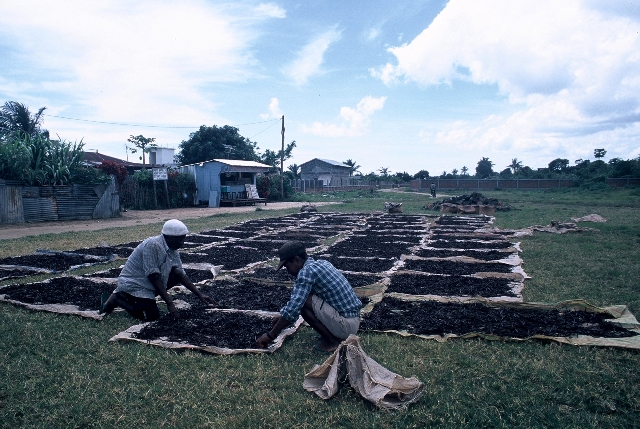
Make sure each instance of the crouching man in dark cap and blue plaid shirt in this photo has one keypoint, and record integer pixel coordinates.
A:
(321, 294)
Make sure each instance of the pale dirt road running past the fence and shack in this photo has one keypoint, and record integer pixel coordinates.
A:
(130, 218)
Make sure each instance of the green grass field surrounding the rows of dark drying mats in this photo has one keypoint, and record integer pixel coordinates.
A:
(61, 372)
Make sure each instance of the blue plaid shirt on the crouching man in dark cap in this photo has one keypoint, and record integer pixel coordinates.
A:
(322, 279)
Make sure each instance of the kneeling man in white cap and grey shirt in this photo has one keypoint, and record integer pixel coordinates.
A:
(152, 269)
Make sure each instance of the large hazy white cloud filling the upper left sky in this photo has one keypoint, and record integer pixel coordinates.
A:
(145, 61)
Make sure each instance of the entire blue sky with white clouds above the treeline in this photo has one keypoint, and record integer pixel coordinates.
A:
(403, 85)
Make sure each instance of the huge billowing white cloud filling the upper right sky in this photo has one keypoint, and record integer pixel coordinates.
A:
(571, 73)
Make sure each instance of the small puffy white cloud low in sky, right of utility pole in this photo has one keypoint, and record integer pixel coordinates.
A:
(355, 122)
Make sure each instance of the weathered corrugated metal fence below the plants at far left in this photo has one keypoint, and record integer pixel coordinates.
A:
(20, 204)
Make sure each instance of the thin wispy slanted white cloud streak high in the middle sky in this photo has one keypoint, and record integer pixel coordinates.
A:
(311, 57)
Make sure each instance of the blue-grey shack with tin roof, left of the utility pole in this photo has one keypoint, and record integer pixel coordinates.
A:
(223, 179)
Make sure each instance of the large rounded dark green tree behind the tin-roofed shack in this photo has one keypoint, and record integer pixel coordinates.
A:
(209, 143)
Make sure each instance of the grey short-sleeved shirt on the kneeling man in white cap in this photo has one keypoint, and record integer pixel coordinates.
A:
(151, 256)
